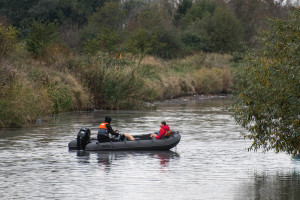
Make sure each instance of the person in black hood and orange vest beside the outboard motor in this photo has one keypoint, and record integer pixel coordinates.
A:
(105, 129)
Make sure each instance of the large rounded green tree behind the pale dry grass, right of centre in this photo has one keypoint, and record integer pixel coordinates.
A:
(211, 27)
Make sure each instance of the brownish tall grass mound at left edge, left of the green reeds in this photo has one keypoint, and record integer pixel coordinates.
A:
(29, 90)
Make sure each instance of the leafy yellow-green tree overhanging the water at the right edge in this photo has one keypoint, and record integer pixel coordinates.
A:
(267, 88)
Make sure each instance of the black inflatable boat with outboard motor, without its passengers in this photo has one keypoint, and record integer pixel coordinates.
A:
(142, 142)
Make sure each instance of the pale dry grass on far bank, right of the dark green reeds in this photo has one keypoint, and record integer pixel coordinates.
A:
(201, 73)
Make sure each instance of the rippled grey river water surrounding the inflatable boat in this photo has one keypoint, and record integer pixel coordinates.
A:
(210, 162)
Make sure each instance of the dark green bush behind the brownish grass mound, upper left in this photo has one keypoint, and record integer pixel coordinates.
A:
(41, 36)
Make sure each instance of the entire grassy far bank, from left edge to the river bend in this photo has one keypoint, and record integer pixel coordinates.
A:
(32, 89)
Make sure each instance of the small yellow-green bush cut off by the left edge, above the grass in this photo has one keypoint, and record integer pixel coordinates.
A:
(8, 39)
